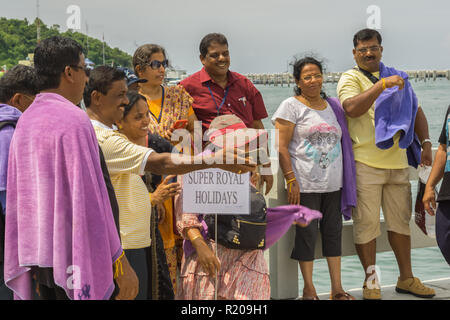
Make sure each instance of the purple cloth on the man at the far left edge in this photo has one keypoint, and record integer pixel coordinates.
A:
(7, 113)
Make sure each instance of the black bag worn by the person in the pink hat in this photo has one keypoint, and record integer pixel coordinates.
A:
(243, 232)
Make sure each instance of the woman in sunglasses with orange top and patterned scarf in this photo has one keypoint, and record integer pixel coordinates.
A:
(166, 104)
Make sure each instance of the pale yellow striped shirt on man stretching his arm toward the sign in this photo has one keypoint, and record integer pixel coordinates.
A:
(124, 160)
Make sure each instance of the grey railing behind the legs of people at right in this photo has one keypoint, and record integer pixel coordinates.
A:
(284, 270)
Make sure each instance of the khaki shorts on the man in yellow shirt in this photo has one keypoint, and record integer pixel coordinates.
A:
(388, 188)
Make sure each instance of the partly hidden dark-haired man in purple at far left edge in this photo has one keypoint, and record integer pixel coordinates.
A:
(17, 90)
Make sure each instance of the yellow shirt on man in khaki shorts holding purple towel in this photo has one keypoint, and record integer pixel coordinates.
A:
(362, 129)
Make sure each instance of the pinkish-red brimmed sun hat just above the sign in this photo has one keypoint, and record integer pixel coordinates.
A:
(232, 127)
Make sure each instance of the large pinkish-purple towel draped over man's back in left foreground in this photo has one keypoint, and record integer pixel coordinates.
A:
(58, 212)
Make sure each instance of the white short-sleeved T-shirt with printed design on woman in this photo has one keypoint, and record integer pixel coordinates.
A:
(315, 147)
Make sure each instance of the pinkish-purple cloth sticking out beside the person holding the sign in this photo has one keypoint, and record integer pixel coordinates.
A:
(279, 219)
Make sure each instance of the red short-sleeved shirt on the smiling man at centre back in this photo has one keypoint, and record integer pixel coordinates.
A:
(243, 99)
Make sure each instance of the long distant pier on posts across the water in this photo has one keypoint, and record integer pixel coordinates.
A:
(282, 79)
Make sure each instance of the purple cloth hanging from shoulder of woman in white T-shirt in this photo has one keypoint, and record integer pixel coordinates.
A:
(348, 194)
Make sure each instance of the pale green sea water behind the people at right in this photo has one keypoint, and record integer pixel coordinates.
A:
(427, 263)
